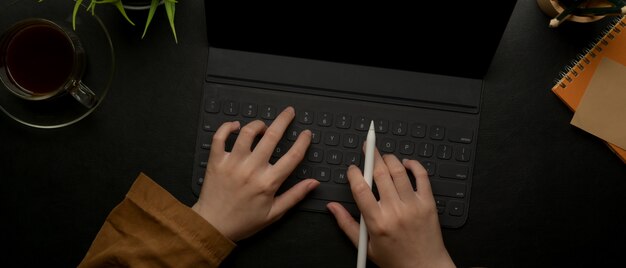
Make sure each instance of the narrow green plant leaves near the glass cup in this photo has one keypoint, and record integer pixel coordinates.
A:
(170, 9)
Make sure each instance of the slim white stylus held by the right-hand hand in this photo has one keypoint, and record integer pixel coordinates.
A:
(370, 146)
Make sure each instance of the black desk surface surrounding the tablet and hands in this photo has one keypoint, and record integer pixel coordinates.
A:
(544, 192)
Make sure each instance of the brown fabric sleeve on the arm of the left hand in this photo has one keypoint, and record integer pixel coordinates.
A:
(150, 228)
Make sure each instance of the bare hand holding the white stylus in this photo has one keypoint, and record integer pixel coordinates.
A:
(403, 226)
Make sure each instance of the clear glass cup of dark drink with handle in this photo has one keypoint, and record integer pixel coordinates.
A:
(40, 60)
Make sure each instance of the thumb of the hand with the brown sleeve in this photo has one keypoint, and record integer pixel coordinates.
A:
(291, 197)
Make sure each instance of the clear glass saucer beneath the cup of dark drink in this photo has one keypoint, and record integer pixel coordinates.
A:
(61, 110)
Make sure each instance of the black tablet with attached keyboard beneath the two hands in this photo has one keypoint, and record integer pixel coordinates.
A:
(341, 66)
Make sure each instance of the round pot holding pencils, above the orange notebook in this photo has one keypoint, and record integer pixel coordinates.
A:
(581, 10)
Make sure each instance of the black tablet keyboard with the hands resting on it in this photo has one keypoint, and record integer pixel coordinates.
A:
(441, 141)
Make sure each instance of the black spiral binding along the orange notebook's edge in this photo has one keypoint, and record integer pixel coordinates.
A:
(577, 65)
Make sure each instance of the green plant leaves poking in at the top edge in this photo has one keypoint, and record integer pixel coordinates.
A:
(170, 8)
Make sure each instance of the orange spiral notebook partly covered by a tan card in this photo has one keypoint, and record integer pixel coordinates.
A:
(571, 87)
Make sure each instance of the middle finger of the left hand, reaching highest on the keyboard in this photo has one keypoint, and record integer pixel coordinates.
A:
(273, 134)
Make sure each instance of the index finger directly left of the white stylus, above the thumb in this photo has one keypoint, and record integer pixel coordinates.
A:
(362, 193)
